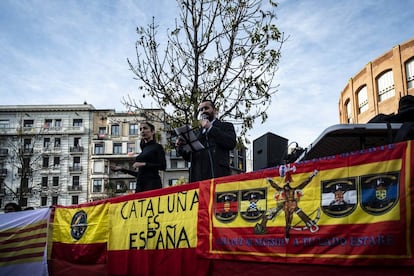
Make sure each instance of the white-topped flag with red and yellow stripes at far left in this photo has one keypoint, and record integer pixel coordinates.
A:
(23, 242)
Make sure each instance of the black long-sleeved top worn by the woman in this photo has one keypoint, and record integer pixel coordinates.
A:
(148, 177)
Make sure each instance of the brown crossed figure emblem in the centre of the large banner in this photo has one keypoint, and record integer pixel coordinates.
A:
(287, 199)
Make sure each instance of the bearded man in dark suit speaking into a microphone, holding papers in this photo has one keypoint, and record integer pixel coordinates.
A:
(218, 138)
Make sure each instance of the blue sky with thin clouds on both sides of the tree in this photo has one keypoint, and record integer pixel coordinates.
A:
(68, 52)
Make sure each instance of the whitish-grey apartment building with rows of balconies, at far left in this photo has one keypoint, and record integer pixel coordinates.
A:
(44, 154)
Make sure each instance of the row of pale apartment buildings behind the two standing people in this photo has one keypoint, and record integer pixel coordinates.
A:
(61, 154)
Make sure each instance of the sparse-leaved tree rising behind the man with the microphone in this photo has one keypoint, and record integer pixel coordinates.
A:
(224, 50)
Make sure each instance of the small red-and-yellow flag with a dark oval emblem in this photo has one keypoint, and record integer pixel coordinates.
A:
(80, 236)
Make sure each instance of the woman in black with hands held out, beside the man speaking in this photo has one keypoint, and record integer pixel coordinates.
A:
(149, 162)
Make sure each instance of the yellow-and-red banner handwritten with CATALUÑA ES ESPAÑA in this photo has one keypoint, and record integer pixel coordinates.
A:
(155, 233)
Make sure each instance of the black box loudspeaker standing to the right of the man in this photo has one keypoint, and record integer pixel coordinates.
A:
(269, 150)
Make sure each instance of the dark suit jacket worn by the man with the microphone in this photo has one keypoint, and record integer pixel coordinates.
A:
(218, 141)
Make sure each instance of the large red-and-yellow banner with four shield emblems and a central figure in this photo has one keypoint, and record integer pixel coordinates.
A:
(350, 209)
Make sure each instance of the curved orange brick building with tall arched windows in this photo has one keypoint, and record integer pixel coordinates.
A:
(378, 87)
